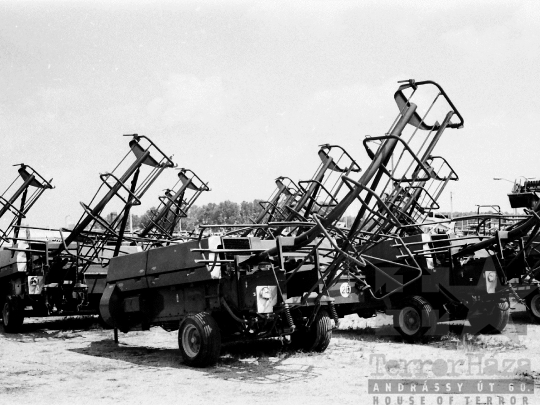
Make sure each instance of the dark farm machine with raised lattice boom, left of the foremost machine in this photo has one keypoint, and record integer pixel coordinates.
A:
(66, 276)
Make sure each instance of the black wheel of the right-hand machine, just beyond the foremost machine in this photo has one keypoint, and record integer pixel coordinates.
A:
(415, 319)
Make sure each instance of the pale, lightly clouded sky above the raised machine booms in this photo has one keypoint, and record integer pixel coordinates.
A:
(243, 92)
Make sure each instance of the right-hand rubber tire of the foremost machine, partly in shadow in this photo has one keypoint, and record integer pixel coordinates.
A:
(317, 337)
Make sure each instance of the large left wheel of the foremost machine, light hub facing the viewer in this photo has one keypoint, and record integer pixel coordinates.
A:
(199, 340)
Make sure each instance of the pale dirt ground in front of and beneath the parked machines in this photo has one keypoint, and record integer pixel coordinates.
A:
(75, 361)
